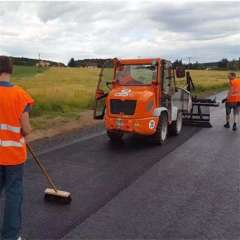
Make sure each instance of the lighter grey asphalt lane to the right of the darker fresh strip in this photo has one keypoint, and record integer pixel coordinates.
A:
(191, 193)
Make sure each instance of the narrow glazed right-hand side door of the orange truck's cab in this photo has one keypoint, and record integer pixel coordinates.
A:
(168, 87)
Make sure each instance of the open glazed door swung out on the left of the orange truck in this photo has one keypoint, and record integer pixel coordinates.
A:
(104, 85)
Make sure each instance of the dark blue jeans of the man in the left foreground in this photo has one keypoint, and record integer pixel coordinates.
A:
(11, 182)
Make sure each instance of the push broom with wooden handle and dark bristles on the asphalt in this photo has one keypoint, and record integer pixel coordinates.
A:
(51, 194)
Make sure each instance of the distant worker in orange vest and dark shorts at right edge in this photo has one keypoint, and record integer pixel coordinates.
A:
(232, 100)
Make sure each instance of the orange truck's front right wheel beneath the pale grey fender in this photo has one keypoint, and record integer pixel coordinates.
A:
(162, 129)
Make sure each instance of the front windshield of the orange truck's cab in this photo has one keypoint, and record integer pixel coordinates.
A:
(136, 74)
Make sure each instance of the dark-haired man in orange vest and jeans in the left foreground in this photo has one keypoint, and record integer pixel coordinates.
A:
(15, 105)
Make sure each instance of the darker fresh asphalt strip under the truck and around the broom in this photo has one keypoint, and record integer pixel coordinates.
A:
(94, 171)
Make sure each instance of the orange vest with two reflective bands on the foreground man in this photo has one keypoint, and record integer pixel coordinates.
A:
(13, 101)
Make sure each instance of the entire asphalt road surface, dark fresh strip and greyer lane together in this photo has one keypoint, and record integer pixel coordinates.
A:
(186, 189)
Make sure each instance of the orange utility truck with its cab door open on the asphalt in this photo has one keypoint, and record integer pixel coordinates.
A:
(140, 96)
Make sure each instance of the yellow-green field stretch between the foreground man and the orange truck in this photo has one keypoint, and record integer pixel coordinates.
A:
(60, 93)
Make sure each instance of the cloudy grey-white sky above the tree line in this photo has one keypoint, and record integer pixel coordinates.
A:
(205, 31)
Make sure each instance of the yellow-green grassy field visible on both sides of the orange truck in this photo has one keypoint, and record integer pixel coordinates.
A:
(62, 94)
